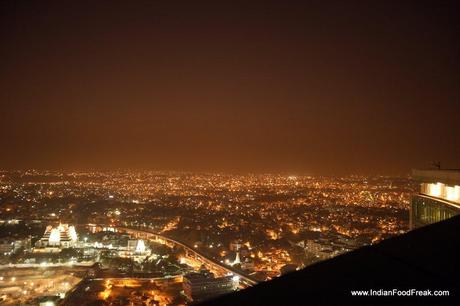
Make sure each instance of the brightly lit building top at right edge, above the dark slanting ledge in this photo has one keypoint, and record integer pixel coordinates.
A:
(438, 199)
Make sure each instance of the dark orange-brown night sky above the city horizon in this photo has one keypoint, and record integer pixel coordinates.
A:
(328, 87)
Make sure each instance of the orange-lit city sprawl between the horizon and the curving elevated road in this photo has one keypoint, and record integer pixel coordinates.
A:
(273, 214)
